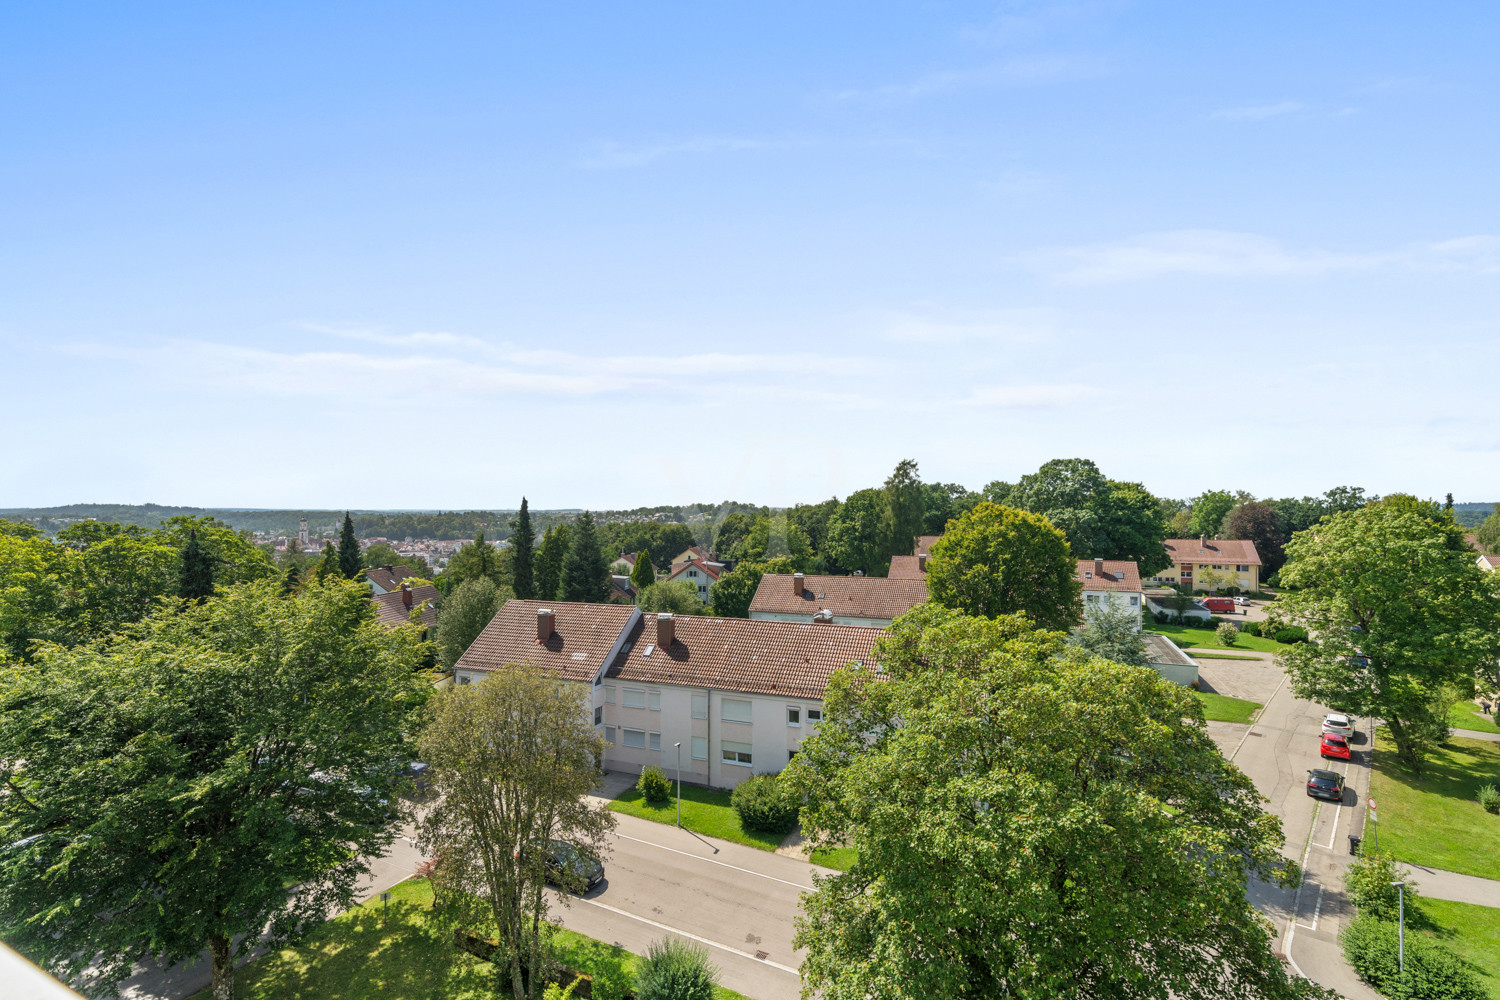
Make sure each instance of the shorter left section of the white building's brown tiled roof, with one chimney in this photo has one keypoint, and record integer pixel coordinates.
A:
(583, 636)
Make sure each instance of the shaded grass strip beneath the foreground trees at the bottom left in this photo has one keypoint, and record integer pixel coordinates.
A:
(397, 954)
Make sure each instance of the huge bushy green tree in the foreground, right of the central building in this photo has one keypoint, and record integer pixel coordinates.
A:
(1028, 822)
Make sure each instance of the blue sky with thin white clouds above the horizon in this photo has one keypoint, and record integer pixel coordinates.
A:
(439, 256)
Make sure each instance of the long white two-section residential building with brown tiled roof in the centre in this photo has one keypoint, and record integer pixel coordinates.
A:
(740, 696)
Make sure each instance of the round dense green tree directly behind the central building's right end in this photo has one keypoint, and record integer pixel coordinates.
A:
(1004, 561)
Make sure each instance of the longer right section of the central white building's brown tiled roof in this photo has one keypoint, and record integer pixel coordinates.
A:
(745, 656)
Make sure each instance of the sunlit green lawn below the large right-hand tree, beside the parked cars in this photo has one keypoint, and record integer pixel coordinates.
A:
(1436, 819)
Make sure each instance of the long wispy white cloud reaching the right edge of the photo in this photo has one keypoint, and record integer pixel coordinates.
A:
(1220, 254)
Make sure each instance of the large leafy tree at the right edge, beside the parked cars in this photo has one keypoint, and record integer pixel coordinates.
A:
(1399, 612)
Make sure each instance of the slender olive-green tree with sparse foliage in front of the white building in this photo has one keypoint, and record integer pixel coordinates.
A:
(515, 759)
